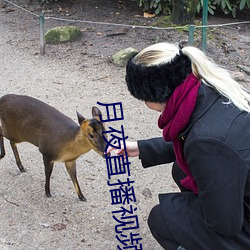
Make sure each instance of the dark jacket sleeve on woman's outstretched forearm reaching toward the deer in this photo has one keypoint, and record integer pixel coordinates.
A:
(155, 151)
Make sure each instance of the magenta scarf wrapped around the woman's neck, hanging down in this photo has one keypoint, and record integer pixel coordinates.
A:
(174, 119)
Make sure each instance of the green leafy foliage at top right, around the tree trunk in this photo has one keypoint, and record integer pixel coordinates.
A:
(165, 6)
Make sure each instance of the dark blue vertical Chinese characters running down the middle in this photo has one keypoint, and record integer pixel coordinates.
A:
(121, 190)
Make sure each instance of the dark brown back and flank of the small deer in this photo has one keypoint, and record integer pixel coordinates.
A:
(24, 118)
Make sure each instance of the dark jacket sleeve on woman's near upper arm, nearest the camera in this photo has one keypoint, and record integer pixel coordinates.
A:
(220, 173)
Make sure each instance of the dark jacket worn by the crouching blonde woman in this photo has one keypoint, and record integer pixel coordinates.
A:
(216, 145)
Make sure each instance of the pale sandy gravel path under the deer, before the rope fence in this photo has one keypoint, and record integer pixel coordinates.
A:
(68, 79)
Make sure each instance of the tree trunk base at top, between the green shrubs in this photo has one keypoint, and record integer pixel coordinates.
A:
(183, 11)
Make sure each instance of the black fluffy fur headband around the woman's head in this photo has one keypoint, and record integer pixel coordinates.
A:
(156, 83)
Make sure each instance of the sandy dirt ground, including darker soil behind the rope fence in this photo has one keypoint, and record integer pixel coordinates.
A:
(75, 76)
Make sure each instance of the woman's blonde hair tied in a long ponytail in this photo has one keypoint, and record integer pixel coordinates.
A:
(202, 67)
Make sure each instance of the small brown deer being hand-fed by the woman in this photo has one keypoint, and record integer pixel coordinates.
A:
(59, 138)
